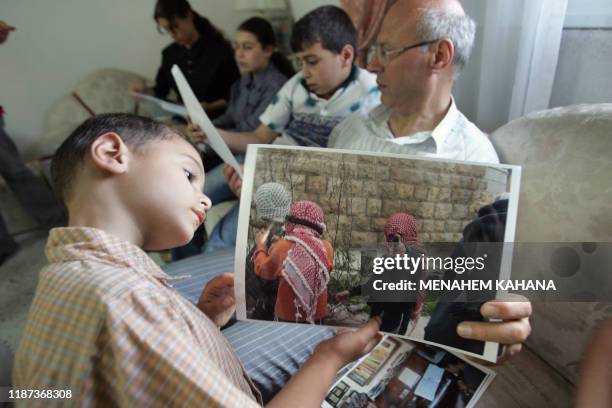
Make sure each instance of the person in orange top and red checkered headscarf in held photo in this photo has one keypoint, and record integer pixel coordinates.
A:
(301, 262)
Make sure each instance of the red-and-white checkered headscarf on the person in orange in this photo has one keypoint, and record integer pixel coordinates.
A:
(306, 268)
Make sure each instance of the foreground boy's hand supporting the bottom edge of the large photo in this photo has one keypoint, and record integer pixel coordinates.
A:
(348, 345)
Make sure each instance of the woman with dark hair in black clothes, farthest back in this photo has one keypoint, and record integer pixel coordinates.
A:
(200, 50)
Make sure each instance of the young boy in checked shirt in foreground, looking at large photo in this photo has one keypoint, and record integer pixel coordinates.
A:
(105, 323)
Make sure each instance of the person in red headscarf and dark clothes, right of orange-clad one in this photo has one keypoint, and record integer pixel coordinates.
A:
(401, 234)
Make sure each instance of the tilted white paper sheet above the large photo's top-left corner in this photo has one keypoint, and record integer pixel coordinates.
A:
(200, 118)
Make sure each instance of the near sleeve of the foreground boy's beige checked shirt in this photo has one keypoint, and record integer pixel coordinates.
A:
(154, 360)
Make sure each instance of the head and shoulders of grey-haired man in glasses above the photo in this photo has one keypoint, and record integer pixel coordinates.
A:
(419, 52)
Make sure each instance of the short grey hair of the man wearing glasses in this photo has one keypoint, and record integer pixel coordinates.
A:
(459, 28)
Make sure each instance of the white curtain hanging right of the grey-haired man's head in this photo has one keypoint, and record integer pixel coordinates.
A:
(518, 43)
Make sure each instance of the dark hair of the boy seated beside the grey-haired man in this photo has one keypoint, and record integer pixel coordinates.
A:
(329, 25)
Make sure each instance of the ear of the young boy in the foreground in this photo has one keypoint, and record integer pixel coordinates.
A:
(109, 153)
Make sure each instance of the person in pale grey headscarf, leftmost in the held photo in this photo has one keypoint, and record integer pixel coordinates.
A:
(272, 204)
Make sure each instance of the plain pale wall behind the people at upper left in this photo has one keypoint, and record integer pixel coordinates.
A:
(58, 42)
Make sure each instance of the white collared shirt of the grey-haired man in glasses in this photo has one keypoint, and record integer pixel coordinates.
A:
(455, 137)
